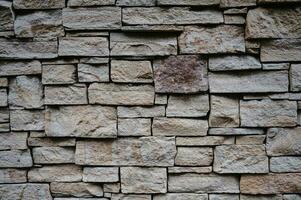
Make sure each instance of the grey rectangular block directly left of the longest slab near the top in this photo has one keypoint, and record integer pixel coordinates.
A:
(92, 18)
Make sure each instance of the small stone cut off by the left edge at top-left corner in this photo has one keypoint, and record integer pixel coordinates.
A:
(6, 16)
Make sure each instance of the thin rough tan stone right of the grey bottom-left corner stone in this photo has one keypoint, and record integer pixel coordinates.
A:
(79, 189)
